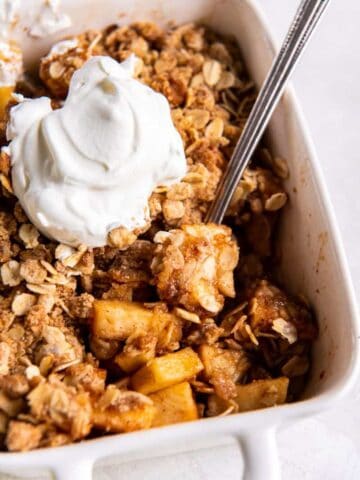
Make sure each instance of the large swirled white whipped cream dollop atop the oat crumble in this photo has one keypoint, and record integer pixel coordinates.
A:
(90, 166)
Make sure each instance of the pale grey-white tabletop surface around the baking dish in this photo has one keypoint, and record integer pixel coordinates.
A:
(328, 86)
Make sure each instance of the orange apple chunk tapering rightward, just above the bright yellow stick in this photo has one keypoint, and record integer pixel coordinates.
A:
(117, 320)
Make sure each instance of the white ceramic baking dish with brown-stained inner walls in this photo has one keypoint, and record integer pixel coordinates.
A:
(312, 260)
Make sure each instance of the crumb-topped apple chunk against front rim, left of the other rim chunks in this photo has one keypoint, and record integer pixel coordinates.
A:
(122, 411)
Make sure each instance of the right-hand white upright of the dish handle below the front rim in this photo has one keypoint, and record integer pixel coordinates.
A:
(261, 460)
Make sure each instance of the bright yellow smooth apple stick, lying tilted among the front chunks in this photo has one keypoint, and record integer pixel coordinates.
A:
(170, 369)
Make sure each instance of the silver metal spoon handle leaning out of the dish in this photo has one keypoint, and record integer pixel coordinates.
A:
(304, 23)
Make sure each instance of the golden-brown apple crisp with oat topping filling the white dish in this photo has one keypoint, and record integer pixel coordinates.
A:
(175, 322)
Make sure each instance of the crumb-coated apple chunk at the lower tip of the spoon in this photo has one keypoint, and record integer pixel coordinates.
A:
(193, 267)
